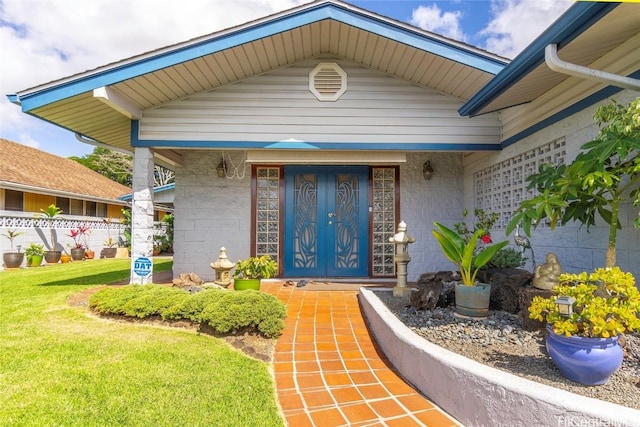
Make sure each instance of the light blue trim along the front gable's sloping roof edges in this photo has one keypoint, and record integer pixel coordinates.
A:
(311, 14)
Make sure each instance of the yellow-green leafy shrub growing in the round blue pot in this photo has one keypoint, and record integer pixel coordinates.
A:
(607, 304)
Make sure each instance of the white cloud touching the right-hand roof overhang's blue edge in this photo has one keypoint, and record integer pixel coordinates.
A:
(516, 23)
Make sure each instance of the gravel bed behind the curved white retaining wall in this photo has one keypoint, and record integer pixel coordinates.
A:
(500, 341)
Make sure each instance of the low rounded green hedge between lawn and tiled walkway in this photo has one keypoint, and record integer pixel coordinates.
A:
(225, 311)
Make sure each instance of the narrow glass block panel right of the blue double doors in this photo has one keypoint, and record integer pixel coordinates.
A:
(384, 221)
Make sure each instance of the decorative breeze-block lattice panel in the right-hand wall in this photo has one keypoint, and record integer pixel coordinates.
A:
(502, 186)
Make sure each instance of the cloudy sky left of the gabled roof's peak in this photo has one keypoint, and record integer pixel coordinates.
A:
(44, 40)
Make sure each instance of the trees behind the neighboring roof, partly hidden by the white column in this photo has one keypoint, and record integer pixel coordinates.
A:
(119, 167)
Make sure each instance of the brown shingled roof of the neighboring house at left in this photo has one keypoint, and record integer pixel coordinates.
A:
(31, 170)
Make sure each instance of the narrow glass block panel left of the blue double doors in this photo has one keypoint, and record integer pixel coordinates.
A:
(268, 211)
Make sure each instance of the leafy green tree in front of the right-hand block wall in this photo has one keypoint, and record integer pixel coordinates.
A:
(595, 183)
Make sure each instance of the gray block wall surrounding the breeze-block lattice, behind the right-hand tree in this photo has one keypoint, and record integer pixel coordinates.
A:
(577, 249)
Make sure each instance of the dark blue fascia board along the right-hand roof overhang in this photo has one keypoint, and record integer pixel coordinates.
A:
(572, 23)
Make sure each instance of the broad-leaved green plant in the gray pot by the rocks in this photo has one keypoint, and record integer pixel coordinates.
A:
(465, 254)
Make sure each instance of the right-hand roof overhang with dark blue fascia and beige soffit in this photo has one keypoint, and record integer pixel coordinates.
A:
(584, 33)
